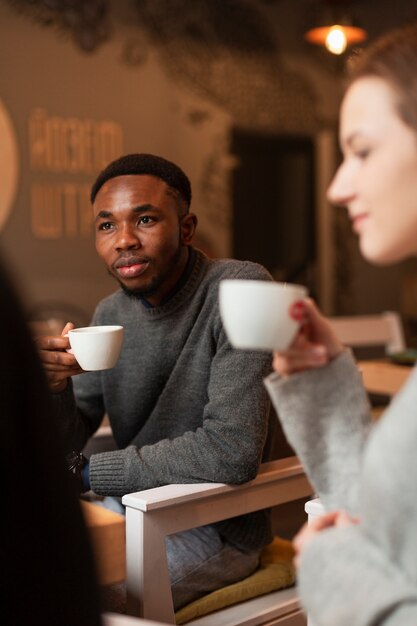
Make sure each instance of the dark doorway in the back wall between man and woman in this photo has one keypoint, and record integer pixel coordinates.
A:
(273, 202)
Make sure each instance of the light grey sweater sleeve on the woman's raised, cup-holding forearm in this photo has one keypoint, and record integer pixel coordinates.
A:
(325, 415)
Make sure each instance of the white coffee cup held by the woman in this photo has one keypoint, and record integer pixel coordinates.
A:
(256, 313)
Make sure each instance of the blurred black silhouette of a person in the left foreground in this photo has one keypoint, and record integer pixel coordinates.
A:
(49, 576)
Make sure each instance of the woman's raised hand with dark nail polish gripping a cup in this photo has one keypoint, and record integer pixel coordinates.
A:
(315, 344)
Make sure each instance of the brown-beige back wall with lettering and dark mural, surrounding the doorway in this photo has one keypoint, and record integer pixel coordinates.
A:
(161, 101)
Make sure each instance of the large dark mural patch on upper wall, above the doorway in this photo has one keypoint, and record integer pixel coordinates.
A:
(228, 53)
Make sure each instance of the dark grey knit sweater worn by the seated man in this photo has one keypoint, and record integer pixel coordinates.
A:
(184, 406)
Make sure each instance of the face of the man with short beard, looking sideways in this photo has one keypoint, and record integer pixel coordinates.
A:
(140, 234)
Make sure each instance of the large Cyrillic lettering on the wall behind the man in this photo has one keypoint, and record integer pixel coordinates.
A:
(63, 146)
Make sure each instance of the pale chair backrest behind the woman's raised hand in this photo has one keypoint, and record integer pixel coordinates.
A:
(384, 329)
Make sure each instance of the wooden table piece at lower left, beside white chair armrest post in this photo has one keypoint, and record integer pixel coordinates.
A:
(107, 532)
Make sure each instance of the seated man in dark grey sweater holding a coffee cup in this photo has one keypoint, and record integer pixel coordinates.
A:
(183, 405)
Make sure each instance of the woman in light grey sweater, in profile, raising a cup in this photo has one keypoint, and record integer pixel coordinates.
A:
(358, 563)
